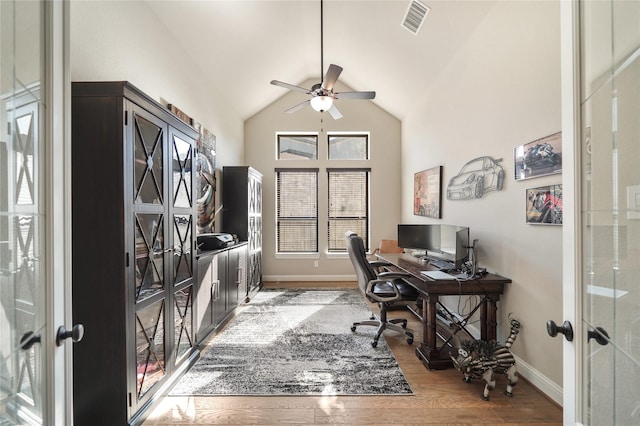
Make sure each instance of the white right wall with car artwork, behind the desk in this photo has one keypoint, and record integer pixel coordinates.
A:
(499, 91)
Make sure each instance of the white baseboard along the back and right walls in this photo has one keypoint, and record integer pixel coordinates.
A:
(533, 376)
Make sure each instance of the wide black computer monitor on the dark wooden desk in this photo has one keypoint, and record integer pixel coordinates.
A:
(447, 242)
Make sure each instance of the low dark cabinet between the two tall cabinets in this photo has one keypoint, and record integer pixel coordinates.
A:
(222, 278)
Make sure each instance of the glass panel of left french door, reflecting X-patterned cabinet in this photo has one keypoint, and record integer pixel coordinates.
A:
(23, 337)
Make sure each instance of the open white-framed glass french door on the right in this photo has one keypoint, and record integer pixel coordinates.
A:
(601, 126)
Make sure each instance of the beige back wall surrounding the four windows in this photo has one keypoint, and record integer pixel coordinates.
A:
(260, 153)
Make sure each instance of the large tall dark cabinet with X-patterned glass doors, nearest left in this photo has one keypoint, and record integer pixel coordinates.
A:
(133, 236)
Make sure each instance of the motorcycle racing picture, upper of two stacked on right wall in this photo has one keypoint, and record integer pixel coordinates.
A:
(539, 158)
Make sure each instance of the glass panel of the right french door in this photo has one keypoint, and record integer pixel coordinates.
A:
(610, 64)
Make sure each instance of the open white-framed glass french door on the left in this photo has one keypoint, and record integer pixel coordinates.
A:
(33, 270)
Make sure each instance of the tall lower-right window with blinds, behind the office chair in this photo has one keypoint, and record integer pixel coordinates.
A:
(348, 206)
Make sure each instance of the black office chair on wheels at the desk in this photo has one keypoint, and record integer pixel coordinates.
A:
(383, 288)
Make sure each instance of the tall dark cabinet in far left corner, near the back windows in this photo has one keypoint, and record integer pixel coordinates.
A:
(242, 215)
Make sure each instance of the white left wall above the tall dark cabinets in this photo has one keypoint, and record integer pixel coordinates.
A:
(116, 40)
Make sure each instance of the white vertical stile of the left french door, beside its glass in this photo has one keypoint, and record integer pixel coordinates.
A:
(58, 396)
